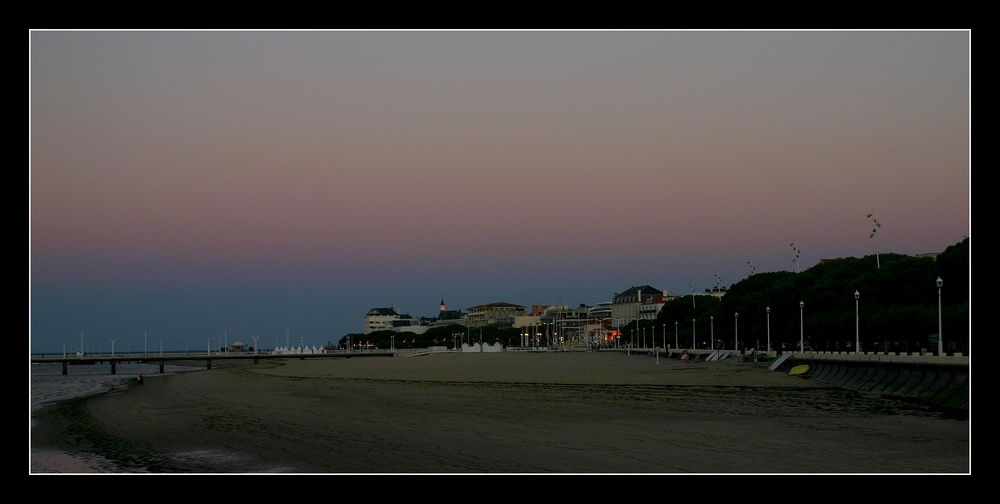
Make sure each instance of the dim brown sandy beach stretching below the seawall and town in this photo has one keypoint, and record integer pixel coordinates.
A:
(497, 413)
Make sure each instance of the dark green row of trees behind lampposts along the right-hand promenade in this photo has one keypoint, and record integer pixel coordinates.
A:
(898, 306)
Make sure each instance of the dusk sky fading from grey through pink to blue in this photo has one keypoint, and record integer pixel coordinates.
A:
(195, 185)
